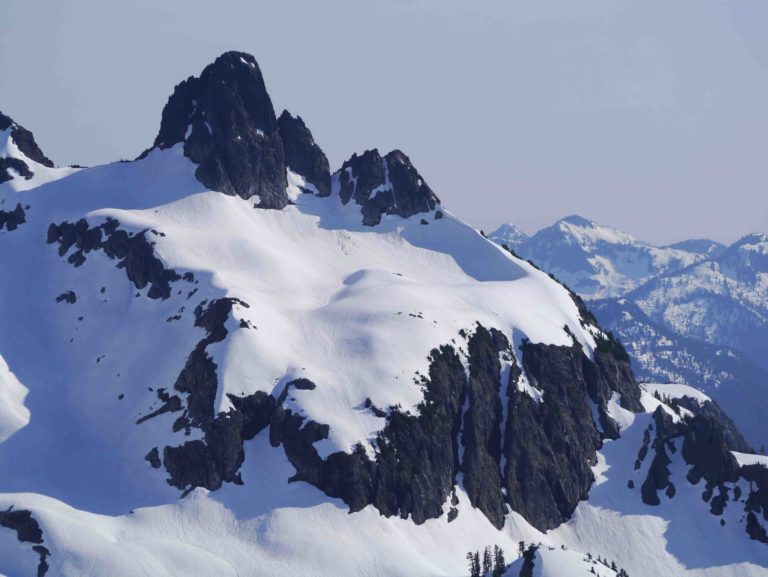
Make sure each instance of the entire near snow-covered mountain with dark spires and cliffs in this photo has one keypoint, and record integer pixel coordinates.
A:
(224, 359)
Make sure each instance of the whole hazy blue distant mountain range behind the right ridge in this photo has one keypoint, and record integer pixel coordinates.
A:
(695, 311)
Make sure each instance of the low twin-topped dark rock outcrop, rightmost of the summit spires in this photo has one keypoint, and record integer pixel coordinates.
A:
(384, 185)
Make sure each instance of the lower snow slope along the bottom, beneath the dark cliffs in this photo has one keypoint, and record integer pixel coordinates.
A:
(269, 527)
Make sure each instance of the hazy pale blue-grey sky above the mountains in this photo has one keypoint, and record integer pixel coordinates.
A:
(650, 116)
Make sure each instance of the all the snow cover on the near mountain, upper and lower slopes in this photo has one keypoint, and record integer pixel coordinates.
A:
(356, 310)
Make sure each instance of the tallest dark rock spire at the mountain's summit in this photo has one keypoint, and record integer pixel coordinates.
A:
(227, 123)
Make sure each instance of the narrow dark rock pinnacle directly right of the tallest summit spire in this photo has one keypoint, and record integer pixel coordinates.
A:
(302, 155)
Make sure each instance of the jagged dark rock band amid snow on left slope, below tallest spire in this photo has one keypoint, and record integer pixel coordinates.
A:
(134, 253)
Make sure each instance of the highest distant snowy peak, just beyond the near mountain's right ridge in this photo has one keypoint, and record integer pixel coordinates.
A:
(599, 261)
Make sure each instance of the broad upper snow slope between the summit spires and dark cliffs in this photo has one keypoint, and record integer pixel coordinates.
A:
(355, 309)
